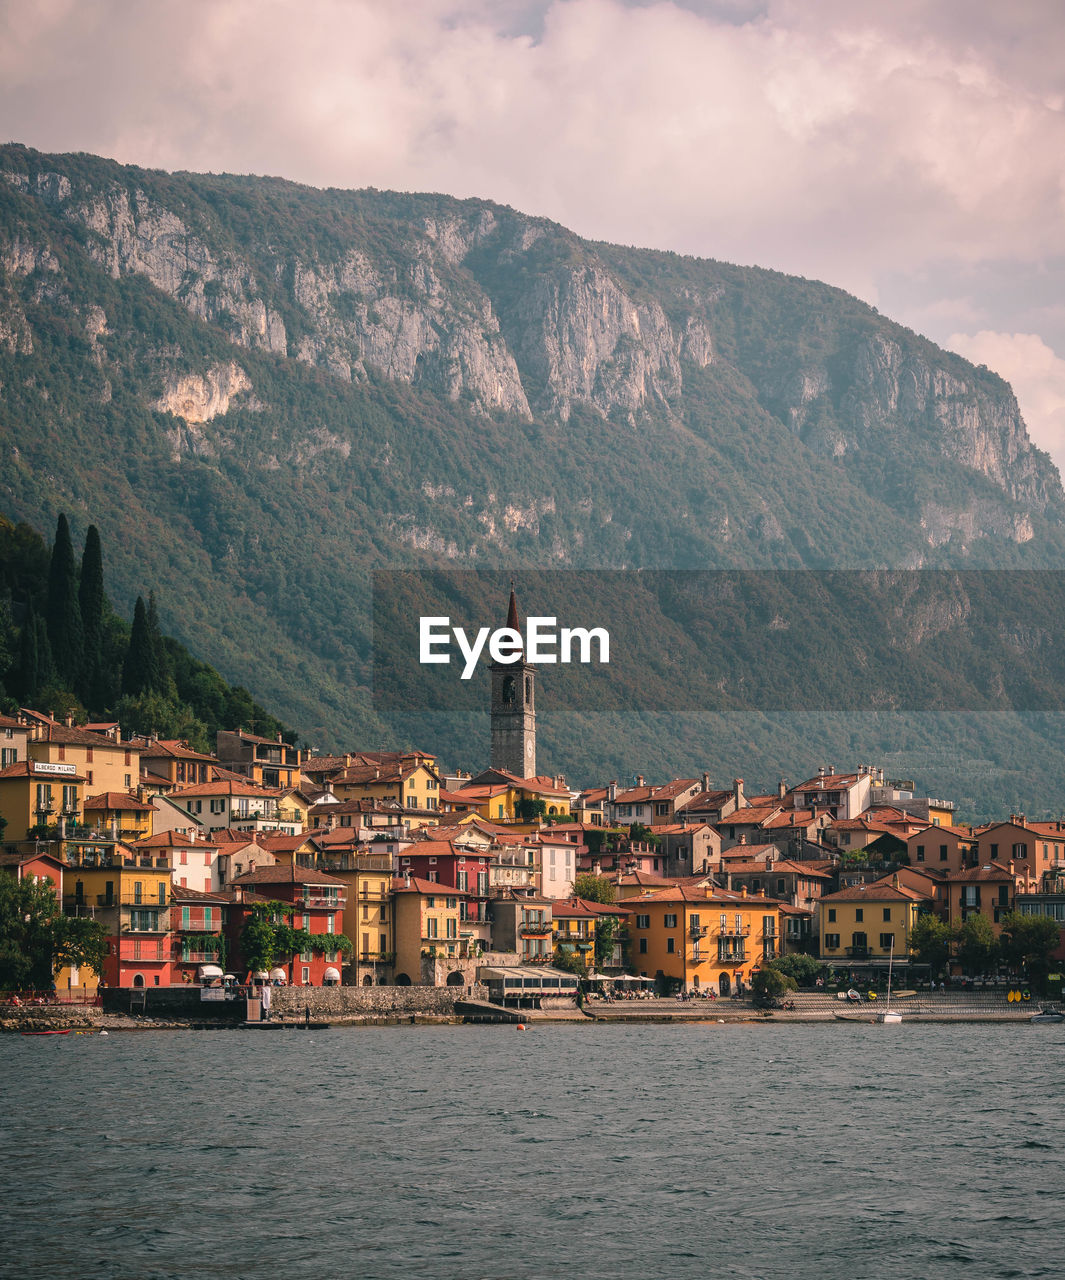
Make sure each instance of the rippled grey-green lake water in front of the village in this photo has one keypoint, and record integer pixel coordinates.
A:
(596, 1151)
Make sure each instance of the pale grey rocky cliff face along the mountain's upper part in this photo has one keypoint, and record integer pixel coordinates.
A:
(513, 317)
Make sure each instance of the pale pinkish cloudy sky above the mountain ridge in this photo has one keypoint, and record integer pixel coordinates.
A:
(908, 152)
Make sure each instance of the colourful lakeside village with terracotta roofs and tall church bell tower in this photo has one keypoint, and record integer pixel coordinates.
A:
(387, 870)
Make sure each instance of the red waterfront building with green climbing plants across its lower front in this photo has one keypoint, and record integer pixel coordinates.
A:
(313, 902)
